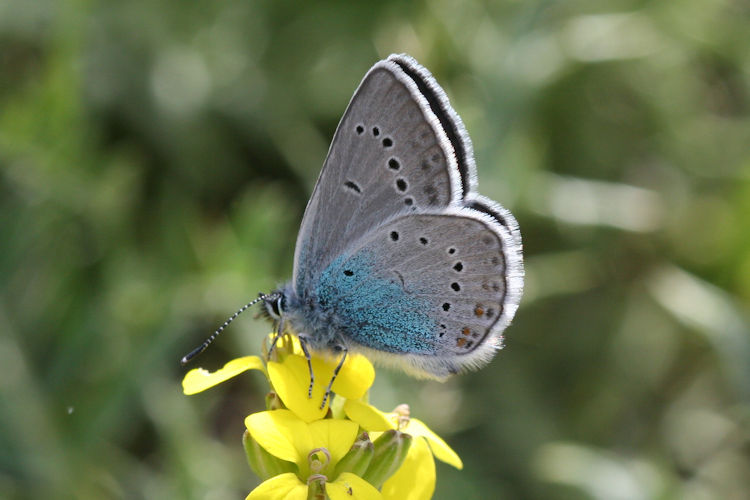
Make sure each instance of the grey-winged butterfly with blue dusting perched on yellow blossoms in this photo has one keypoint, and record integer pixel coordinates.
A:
(398, 257)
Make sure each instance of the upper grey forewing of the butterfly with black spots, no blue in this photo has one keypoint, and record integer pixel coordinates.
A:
(399, 148)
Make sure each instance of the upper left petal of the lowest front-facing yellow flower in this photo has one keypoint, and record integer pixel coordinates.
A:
(281, 434)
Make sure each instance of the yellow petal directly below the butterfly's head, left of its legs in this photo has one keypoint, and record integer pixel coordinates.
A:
(291, 379)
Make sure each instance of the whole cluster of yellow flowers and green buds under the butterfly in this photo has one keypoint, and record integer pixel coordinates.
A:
(347, 449)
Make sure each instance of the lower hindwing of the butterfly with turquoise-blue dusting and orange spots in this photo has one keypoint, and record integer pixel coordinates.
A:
(433, 291)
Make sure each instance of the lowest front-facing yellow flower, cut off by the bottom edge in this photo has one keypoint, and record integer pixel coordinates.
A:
(315, 448)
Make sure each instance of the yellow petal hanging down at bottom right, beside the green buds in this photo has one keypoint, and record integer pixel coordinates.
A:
(415, 479)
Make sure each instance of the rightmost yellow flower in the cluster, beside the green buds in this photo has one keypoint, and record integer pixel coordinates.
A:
(415, 479)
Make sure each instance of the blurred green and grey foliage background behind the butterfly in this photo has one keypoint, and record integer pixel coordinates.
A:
(155, 161)
